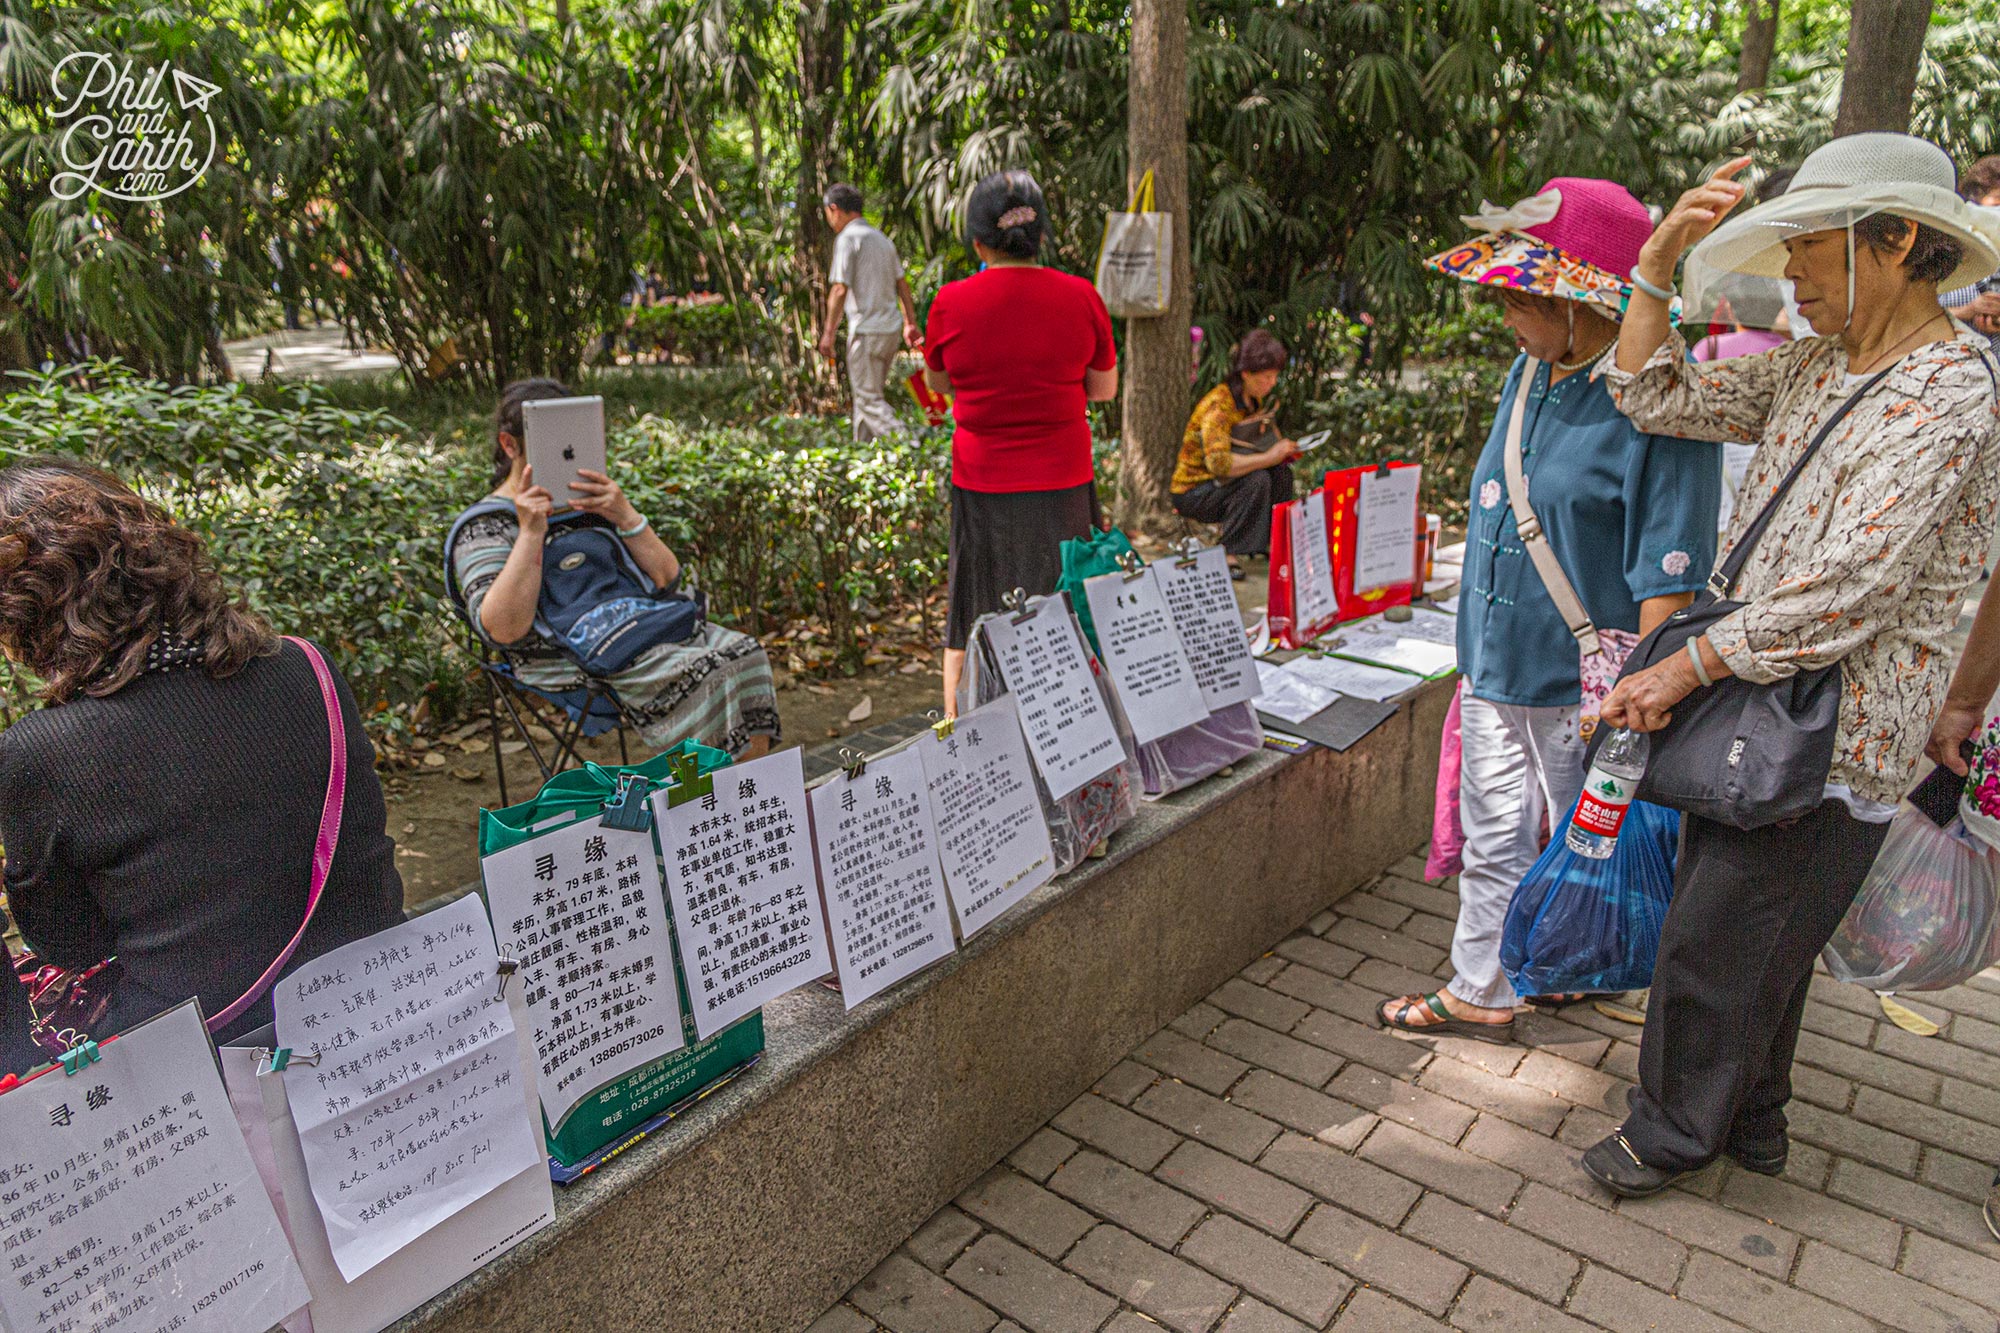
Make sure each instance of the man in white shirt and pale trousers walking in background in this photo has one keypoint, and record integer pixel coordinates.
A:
(867, 283)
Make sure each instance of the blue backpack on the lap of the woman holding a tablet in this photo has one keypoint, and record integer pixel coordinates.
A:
(597, 605)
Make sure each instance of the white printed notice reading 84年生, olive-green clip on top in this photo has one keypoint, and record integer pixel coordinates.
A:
(747, 906)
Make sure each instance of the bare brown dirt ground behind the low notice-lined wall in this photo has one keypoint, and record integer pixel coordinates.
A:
(435, 812)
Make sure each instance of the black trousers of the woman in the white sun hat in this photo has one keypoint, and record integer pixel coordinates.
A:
(1749, 918)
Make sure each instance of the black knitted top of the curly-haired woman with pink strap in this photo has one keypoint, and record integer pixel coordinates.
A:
(173, 826)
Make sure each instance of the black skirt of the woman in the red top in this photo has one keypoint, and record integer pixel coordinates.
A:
(1005, 541)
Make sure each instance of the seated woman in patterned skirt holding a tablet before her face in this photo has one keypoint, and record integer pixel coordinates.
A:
(713, 688)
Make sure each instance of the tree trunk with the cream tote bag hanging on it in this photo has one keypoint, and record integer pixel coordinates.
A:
(1157, 349)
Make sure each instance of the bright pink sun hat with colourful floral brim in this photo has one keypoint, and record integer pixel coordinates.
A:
(1575, 239)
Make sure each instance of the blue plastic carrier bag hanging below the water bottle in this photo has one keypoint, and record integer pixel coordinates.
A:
(1593, 926)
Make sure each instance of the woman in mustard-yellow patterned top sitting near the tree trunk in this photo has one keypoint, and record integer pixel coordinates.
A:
(1235, 463)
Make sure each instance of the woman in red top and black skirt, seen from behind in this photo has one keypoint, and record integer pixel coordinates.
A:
(1023, 351)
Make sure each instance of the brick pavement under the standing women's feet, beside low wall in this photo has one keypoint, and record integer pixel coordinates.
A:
(1271, 1162)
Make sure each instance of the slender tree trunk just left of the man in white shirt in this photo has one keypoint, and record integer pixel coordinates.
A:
(821, 61)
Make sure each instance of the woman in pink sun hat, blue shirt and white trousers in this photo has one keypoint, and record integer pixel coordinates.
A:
(1625, 525)
